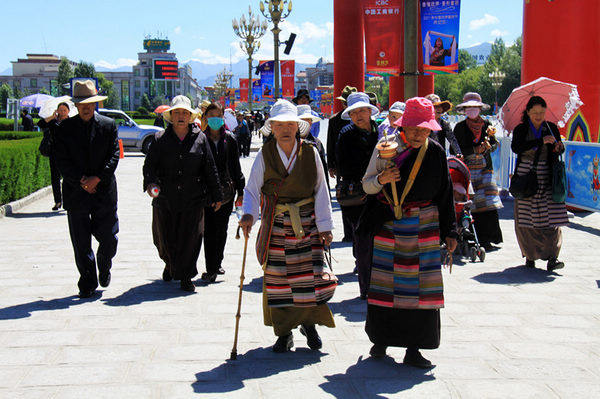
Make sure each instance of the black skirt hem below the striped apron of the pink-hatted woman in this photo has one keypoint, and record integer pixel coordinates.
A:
(407, 328)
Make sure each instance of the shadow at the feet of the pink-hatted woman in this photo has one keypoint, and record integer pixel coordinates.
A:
(374, 379)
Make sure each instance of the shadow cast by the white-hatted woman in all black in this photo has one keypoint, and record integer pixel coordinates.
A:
(157, 290)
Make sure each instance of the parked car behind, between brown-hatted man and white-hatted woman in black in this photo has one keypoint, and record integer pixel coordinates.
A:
(134, 136)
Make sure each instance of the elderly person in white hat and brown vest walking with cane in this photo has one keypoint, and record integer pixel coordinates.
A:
(296, 224)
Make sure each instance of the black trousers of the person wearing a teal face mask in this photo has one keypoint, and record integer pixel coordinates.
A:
(215, 235)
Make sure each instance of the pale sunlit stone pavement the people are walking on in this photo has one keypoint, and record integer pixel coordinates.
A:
(507, 331)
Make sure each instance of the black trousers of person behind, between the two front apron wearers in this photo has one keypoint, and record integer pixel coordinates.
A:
(362, 248)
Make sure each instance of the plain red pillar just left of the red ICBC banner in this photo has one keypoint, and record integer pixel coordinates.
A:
(348, 47)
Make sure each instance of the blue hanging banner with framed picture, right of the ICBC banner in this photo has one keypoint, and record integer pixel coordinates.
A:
(440, 22)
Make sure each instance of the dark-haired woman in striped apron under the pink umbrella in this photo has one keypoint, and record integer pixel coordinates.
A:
(538, 218)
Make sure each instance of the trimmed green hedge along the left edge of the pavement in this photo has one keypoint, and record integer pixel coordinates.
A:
(23, 170)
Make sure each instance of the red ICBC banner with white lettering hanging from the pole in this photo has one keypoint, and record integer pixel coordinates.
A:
(383, 33)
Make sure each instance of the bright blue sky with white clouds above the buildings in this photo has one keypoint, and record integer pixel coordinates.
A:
(109, 33)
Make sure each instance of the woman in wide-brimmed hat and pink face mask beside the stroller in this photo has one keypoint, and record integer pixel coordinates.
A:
(476, 139)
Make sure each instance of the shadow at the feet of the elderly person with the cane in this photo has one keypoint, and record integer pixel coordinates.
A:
(254, 364)
